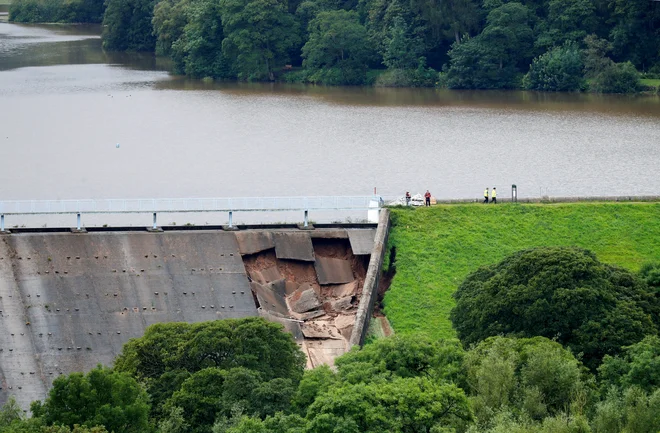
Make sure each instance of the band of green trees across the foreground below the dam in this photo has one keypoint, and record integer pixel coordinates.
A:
(599, 373)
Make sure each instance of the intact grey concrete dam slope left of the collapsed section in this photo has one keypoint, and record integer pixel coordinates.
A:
(70, 301)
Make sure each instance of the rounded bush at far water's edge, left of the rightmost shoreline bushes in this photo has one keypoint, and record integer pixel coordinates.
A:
(558, 70)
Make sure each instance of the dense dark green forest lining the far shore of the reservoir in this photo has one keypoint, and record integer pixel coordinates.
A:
(552, 45)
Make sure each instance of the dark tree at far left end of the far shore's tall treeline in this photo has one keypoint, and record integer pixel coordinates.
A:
(127, 25)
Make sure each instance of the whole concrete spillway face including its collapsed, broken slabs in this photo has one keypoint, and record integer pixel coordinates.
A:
(70, 301)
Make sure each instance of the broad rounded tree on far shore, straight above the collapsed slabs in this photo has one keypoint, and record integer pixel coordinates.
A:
(337, 41)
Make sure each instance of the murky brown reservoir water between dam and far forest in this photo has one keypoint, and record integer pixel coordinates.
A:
(65, 104)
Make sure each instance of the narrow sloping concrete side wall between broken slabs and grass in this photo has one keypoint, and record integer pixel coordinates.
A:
(370, 288)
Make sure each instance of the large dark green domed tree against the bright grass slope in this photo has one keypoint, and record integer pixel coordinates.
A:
(564, 293)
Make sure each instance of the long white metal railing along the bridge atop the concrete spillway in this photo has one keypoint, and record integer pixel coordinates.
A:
(180, 205)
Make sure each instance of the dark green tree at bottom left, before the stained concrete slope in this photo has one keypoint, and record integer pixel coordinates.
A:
(102, 397)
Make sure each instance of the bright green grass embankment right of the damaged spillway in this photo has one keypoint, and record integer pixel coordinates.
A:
(437, 247)
